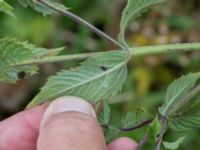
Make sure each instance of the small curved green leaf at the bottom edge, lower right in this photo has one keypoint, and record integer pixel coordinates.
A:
(174, 145)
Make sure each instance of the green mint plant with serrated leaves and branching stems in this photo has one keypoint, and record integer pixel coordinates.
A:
(102, 75)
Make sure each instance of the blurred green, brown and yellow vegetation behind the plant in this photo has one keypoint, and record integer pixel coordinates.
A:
(175, 21)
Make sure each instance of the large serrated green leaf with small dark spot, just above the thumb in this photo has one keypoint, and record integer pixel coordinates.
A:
(99, 77)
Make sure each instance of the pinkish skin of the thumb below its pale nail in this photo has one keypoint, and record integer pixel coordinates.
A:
(71, 130)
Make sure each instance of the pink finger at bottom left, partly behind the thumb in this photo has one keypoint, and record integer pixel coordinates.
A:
(20, 131)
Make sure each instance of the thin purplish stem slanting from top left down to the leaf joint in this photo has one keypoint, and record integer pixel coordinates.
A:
(82, 22)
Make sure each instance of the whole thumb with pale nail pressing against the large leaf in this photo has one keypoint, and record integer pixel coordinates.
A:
(70, 123)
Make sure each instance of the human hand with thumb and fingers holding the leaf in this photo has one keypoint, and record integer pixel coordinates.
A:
(69, 123)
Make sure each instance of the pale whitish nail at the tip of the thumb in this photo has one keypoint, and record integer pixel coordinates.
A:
(68, 103)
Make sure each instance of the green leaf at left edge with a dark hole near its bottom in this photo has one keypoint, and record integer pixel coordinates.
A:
(13, 52)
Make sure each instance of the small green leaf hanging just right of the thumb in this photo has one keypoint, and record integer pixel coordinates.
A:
(104, 116)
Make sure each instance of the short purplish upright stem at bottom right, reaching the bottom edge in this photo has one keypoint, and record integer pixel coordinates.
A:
(164, 122)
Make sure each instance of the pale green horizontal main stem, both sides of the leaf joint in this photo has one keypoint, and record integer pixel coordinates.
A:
(137, 51)
